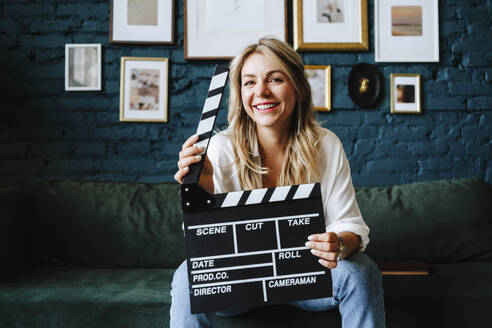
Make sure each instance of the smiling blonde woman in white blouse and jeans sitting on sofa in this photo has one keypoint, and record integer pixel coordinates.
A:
(273, 140)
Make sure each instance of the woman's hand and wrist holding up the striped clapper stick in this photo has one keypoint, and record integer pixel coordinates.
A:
(190, 154)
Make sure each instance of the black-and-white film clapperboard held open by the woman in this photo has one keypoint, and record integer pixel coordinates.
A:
(246, 248)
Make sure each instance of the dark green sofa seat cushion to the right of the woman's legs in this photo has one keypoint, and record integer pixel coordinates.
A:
(453, 295)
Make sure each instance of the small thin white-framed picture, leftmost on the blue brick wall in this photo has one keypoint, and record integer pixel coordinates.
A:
(82, 67)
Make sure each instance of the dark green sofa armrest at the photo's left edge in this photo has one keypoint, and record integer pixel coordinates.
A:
(11, 246)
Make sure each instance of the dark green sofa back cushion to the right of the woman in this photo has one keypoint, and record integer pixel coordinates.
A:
(437, 222)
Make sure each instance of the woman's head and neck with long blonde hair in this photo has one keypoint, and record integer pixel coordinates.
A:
(274, 73)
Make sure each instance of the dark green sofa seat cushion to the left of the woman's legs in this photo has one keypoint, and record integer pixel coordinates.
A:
(97, 298)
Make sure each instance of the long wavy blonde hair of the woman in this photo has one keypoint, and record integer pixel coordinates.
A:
(300, 163)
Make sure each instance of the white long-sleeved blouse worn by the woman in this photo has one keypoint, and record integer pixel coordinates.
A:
(337, 192)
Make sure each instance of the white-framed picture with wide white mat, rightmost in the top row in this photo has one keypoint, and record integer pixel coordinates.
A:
(406, 30)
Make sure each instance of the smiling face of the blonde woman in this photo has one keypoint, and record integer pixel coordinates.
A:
(268, 95)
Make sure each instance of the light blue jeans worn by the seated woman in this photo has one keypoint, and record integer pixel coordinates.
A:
(357, 292)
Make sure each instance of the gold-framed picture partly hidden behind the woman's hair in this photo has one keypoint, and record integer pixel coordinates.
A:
(319, 77)
